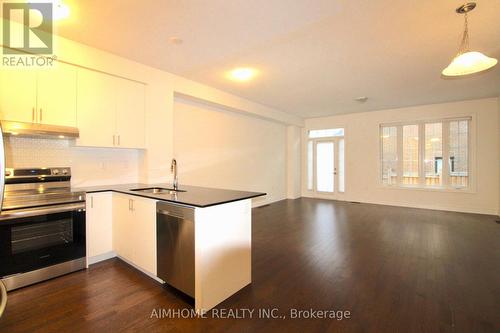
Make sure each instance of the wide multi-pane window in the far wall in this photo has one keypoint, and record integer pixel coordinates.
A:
(426, 154)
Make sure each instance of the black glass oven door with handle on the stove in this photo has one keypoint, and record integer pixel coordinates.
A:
(35, 238)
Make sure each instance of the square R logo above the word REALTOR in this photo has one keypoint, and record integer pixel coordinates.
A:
(27, 28)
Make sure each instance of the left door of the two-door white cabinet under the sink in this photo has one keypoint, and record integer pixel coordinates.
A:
(123, 227)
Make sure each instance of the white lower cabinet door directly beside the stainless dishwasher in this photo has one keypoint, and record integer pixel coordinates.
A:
(144, 225)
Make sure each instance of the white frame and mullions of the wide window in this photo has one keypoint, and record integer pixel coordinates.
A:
(445, 187)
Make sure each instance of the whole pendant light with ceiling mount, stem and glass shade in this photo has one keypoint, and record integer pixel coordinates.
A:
(468, 62)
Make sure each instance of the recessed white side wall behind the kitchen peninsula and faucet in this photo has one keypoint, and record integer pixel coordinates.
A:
(224, 149)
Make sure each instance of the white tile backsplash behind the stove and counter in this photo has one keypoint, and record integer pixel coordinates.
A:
(89, 166)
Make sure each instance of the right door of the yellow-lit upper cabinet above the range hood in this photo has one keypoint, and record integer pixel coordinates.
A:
(57, 95)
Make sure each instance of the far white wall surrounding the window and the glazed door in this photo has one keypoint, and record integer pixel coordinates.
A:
(362, 157)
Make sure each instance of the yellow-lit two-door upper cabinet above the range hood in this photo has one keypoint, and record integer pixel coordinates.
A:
(44, 96)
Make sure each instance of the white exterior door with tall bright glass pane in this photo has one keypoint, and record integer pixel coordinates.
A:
(329, 167)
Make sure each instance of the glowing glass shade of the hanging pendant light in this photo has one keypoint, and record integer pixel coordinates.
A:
(469, 63)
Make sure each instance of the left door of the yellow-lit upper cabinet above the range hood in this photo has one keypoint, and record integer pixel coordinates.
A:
(17, 94)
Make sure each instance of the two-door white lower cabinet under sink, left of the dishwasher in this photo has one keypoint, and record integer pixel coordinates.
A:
(134, 230)
